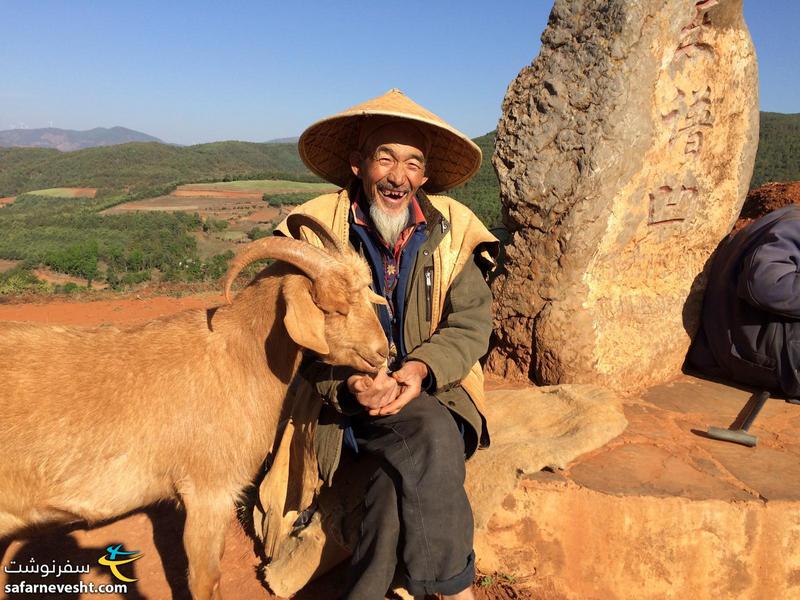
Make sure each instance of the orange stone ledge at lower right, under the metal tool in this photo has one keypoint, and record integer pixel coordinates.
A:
(661, 511)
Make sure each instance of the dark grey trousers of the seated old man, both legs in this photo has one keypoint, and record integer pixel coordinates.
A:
(416, 510)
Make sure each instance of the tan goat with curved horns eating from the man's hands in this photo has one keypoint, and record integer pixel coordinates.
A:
(98, 422)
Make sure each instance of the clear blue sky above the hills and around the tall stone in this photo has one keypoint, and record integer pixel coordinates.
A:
(192, 72)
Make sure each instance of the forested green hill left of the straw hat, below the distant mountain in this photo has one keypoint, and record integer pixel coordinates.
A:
(139, 168)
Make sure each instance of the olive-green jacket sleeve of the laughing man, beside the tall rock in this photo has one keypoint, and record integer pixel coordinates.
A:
(462, 336)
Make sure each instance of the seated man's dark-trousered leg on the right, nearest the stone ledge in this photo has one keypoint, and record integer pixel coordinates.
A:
(421, 444)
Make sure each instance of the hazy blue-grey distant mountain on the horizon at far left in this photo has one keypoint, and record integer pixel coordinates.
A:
(69, 139)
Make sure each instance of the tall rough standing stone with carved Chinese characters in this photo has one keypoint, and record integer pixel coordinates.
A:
(624, 155)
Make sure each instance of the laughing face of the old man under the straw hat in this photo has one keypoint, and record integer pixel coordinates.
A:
(391, 166)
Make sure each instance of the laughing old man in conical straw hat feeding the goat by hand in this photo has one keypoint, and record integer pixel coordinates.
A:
(429, 256)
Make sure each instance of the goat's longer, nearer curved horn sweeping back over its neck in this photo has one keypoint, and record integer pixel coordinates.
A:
(311, 260)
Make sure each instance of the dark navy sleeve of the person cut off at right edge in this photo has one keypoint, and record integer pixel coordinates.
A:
(769, 279)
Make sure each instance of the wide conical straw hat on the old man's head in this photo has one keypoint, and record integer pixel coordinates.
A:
(326, 145)
